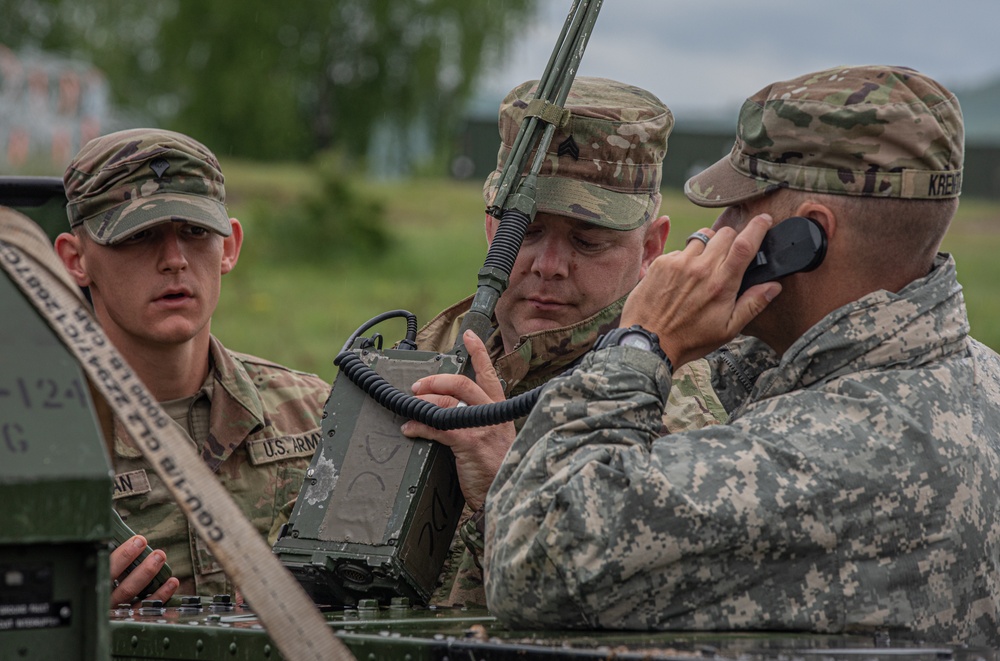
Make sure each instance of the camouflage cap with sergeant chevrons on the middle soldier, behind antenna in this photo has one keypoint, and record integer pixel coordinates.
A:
(604, 165)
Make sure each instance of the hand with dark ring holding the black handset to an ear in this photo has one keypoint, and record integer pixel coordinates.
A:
(688, 297)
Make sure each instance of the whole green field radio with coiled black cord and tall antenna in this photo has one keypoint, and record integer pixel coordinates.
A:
(378, 511)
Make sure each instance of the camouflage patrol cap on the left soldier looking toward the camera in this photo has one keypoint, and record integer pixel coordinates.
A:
(127, 181)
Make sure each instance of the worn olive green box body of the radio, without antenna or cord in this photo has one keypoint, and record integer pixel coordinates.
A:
(378, 511)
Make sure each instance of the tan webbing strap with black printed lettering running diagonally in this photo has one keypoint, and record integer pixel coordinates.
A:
(292, 620)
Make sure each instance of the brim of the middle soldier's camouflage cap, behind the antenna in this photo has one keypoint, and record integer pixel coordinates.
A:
(583, 201)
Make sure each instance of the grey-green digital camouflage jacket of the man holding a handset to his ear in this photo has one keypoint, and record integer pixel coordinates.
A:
(855, 490)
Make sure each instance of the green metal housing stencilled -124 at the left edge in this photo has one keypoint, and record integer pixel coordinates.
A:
(55, 496)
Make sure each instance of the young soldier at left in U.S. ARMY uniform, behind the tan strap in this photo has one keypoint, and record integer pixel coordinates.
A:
(151, 240)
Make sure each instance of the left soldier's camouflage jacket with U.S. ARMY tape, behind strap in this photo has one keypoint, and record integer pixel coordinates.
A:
(263, 429)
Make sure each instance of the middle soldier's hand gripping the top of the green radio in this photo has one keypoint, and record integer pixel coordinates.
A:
(478, 451)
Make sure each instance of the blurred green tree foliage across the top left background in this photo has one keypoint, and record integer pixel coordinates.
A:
(286, 79)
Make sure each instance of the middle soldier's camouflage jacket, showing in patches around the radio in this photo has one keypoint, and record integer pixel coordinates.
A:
(538, 358)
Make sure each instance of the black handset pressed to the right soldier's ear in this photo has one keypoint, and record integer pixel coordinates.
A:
(794, 245)
